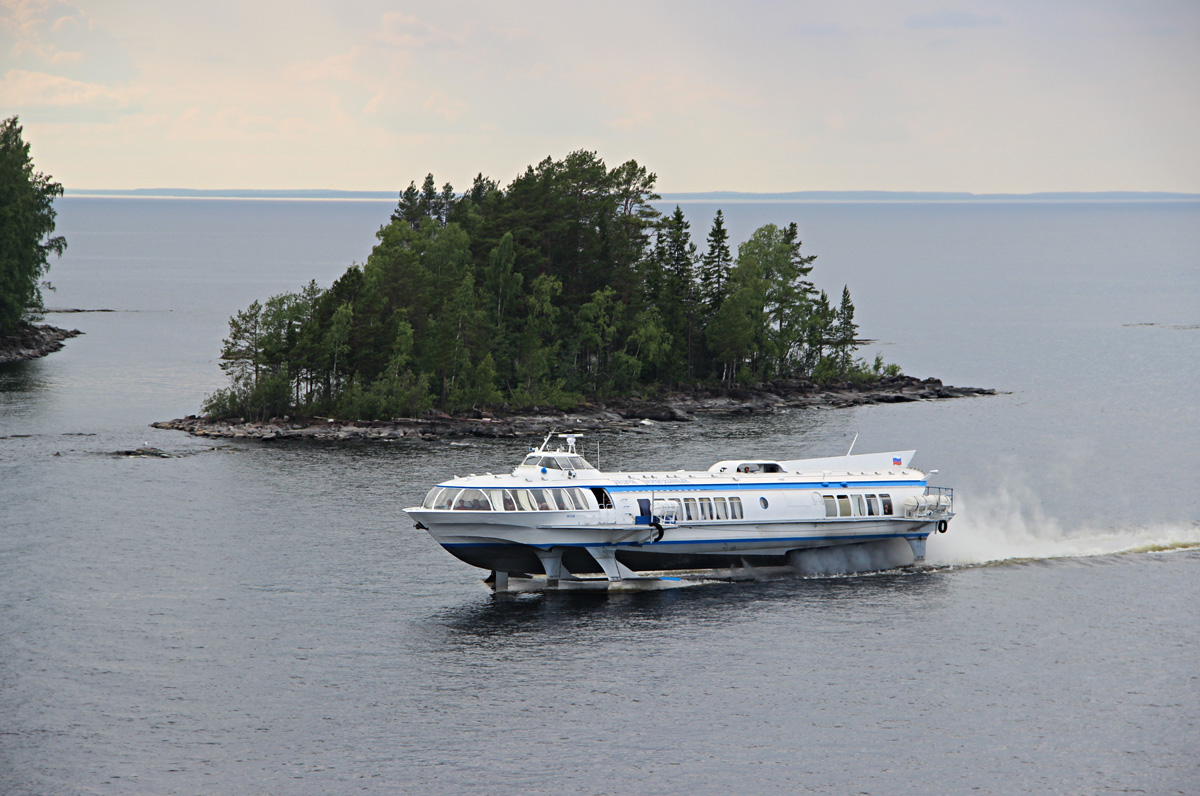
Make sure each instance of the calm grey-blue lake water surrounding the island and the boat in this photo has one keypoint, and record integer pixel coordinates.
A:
(248, 618)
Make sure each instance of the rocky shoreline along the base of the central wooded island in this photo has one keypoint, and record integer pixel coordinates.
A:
(617, 416)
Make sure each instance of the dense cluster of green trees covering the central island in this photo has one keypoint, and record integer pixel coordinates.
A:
(563, 288)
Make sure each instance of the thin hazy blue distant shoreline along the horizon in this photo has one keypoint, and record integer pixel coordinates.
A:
(733, 197)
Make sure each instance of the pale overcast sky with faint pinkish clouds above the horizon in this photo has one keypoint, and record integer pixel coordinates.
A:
(1005, 97)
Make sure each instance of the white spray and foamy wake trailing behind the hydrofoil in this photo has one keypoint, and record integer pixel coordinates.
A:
(1007, 528)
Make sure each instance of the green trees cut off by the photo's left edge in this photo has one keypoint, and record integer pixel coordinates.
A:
(27, 223)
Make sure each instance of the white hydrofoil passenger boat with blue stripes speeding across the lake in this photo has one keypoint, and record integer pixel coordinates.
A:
(556, 514)
